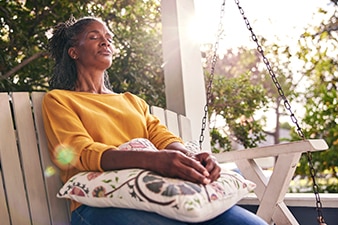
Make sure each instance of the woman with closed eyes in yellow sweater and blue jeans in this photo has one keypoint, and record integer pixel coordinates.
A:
(82, 114)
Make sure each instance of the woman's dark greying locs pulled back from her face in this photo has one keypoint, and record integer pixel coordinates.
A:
(65, 35)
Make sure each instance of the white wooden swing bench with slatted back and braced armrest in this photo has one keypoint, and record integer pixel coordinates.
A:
(29, 181)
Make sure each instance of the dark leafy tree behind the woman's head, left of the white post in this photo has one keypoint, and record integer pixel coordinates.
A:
(25, 64)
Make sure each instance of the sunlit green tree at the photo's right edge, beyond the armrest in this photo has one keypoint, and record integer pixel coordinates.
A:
(317, 50)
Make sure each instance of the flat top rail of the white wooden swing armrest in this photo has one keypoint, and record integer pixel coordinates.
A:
(273, 150)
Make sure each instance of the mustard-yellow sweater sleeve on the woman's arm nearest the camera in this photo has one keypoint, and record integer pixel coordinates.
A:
(69, 143)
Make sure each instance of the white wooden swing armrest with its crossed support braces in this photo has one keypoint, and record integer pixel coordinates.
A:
(271, 191)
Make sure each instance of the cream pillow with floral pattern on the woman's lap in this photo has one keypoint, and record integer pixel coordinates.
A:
(145, 190)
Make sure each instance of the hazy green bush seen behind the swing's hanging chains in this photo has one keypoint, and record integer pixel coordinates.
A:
(245, 68)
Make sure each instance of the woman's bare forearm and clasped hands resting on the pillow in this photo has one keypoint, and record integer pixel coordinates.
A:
(170, 162)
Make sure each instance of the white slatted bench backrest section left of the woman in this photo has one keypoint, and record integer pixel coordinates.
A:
(28, 184)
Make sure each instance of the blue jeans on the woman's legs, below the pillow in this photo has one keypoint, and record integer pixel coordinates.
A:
(86, 215)
